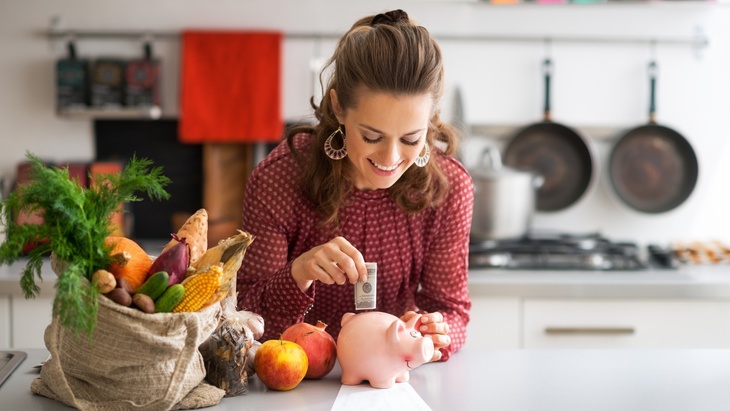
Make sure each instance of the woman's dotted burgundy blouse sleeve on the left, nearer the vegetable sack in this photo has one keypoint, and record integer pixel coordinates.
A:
(265, 284)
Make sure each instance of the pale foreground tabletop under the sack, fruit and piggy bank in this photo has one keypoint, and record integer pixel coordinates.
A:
(505, 380)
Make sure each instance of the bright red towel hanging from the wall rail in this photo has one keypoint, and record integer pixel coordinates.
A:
(230, 87)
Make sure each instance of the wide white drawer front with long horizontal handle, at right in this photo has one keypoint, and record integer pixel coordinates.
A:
(626, 324)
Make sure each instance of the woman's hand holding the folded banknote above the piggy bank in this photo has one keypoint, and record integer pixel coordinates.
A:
(334, 262)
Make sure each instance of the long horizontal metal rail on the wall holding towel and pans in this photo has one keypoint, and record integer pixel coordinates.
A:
(698, 41)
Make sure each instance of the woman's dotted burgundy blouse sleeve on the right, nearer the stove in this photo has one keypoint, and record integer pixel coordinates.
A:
(444, 285)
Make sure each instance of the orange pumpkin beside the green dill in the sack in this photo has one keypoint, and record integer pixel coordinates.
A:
(129, 261)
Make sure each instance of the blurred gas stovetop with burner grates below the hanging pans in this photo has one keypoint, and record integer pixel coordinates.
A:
(561, 251)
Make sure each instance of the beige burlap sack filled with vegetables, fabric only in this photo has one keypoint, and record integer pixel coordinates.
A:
(134, 361)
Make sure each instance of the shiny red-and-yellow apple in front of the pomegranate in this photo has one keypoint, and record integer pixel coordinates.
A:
(280, 364)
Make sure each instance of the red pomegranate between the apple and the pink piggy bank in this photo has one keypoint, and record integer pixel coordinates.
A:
(319, 345)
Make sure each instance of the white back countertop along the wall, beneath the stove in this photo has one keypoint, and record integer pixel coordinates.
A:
(693, 282)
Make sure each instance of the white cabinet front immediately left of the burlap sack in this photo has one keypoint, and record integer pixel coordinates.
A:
(30, 317)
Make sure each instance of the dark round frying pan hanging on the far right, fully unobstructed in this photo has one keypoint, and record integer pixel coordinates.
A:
(652, 168)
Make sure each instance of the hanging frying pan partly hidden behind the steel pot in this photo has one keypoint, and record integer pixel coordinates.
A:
(561, 155)
